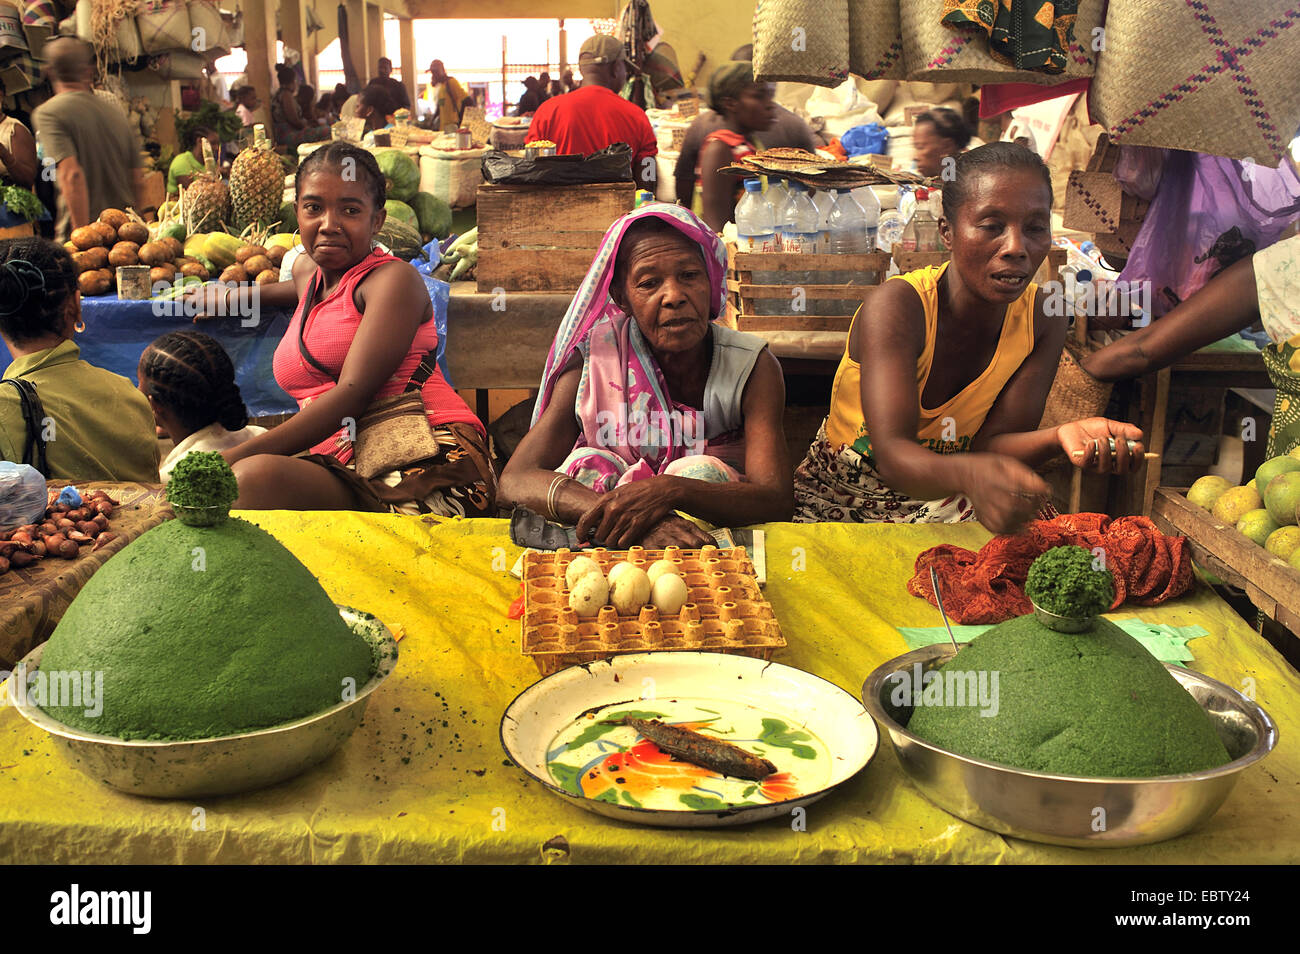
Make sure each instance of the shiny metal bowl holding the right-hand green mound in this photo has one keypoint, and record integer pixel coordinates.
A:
(1067, 810)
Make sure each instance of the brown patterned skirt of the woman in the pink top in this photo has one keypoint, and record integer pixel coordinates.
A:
(458, 482)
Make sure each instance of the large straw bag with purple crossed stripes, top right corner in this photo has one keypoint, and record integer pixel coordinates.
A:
(1216, 76)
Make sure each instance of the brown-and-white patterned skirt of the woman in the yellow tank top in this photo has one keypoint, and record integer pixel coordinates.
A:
(843, 487)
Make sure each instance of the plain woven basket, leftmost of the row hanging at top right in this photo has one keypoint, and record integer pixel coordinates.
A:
(803, 41)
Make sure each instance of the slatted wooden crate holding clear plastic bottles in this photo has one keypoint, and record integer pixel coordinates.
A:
(799, 306)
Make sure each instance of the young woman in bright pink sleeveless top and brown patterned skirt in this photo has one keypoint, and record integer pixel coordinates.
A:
(363, 331)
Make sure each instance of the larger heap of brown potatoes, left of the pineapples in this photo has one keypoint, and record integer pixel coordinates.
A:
(118, 240)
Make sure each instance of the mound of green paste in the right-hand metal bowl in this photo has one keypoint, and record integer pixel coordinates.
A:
(1090, 704)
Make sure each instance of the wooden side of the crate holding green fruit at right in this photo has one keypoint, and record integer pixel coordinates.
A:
(1269, 582)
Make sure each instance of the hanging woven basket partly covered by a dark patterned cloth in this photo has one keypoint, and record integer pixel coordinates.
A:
(939, 54)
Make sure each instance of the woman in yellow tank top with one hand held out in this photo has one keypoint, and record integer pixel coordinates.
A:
(937, 404)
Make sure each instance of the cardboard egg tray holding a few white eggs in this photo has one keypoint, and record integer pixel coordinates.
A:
(725, 610)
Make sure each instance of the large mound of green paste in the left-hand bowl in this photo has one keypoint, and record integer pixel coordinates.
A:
(205, 632)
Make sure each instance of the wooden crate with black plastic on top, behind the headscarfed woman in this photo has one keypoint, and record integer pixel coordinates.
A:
(543, 238)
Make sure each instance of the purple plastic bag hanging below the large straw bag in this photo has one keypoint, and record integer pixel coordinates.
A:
(1208, 214)
